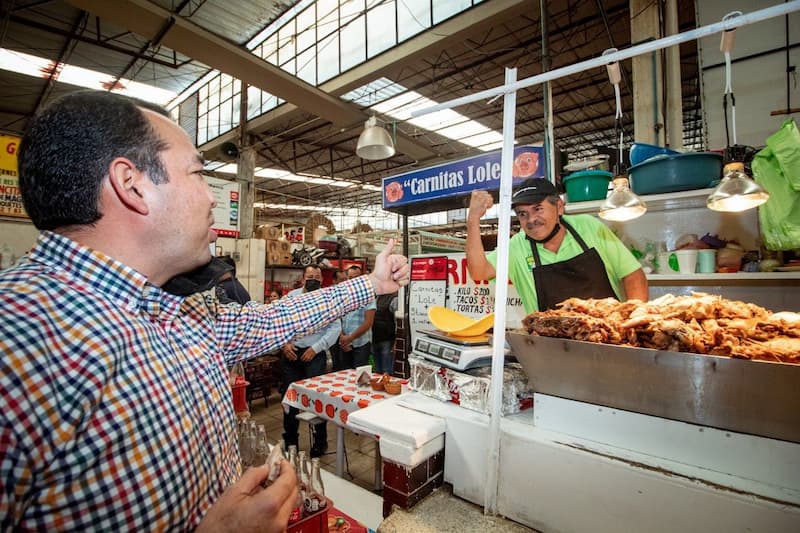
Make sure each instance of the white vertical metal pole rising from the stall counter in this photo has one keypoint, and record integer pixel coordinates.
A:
(500, 296)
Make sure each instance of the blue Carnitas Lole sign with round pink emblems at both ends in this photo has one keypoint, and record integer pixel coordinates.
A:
(481, 172)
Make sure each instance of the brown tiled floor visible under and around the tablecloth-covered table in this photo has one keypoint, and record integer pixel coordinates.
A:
(360, 449)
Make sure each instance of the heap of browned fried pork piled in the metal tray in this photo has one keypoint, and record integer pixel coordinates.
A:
(699, 323)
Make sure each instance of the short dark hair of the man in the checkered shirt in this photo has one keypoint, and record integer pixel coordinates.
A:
(67, 150)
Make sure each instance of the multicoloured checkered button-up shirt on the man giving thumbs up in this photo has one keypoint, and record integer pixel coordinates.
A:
(115, 407)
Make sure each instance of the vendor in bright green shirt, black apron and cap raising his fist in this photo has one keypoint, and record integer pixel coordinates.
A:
(555, 256)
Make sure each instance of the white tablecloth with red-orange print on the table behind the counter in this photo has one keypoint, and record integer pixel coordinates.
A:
(333, 396)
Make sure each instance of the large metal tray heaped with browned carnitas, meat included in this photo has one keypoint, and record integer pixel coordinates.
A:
(698, 358)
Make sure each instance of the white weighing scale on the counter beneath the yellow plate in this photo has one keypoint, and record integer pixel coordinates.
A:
(458, 353)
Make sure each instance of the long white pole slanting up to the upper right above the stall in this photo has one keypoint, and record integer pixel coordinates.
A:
(691, 35)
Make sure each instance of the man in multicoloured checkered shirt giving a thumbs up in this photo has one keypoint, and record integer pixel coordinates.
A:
(115, 406)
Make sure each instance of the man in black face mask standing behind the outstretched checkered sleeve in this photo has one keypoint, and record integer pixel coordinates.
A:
(305, 357)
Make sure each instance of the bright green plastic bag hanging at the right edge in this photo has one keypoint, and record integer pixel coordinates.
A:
(777, 169)
